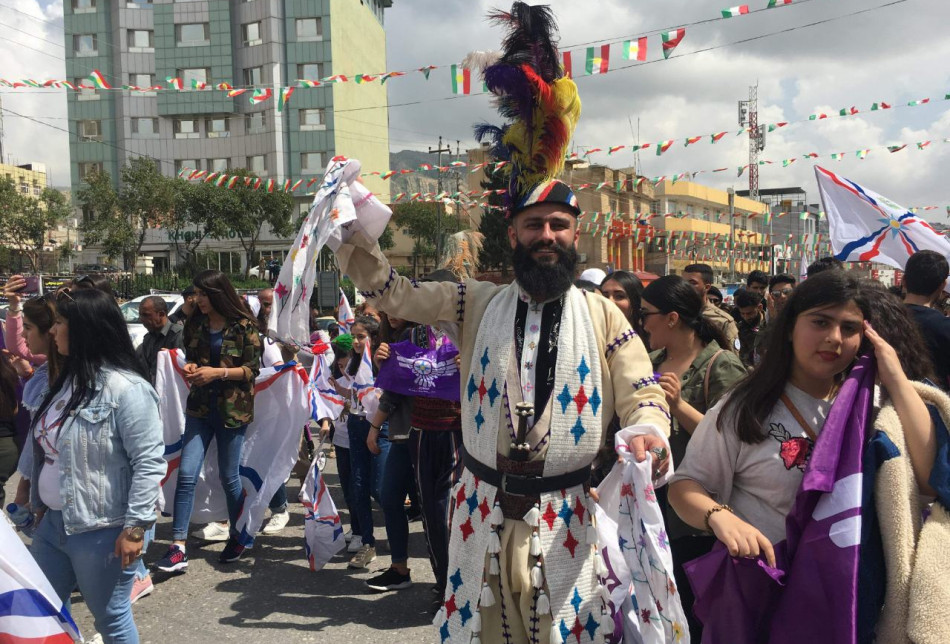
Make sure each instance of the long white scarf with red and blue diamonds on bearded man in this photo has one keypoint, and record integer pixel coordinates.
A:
(565, 541)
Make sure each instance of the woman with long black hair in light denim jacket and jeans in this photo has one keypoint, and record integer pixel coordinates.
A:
(97, 463)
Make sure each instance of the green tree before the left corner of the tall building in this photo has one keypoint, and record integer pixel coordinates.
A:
(146, 199)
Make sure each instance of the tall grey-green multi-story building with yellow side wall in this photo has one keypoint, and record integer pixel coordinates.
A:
(265, 44)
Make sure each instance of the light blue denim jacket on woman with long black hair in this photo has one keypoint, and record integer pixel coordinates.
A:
(111, 456)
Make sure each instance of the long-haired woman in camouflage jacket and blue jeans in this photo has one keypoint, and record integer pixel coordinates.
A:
(223, 359)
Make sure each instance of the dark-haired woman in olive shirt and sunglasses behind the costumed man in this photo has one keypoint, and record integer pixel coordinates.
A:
(694, 371)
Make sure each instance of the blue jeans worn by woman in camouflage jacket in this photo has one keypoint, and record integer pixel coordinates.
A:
(198, 435)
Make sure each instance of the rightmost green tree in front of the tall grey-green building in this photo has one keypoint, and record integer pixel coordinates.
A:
(255, 208)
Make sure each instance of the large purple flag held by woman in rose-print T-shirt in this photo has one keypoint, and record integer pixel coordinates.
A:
(746, 602)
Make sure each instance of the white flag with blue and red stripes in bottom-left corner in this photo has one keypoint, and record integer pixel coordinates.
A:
(30, 610)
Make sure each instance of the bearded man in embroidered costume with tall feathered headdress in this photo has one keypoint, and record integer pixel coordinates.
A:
(545, 369)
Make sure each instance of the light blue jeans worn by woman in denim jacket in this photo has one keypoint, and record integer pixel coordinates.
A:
(88, 559)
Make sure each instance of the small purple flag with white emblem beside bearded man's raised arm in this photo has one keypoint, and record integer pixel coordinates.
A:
(414, 371)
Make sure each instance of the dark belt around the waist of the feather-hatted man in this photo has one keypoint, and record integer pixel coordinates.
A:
(521, 483)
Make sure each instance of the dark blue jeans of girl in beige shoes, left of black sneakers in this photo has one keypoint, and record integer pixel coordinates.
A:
(366, 471)
